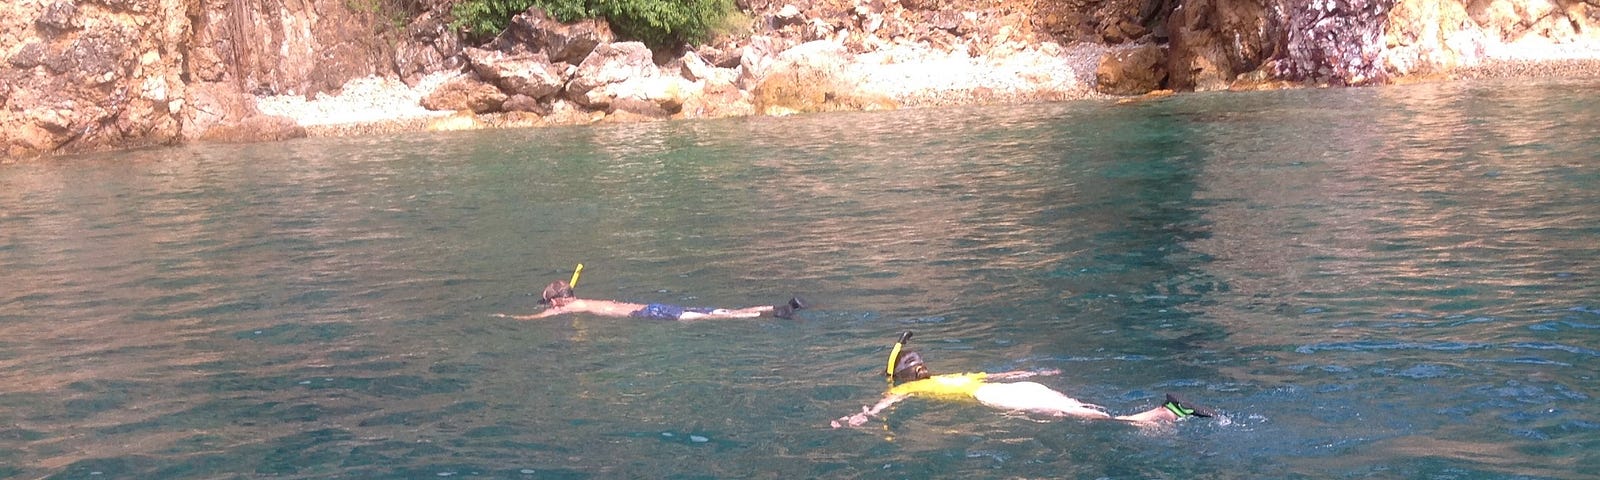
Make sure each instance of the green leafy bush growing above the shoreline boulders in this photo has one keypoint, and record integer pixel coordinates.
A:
(658, 23)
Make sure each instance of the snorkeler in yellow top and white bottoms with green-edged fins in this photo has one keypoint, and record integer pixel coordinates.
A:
(913, 378)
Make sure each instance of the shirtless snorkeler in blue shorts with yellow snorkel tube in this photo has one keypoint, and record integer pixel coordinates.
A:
(561, 300)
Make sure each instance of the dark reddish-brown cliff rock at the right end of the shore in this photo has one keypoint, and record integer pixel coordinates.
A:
(1242, 44)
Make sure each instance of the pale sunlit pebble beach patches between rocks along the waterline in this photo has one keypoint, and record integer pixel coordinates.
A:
(914, 76)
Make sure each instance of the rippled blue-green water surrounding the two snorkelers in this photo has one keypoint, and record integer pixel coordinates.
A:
(1369, 284)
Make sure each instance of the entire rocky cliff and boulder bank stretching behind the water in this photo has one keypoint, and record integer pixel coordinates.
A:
(110, 74)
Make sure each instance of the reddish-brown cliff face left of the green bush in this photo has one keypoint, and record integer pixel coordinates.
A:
(113, 74)
